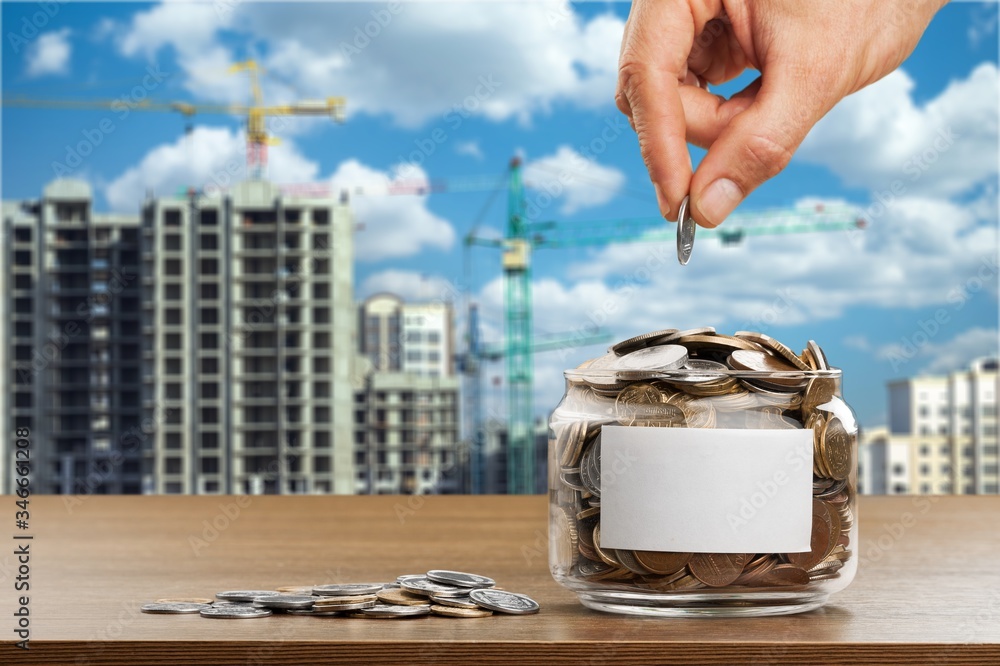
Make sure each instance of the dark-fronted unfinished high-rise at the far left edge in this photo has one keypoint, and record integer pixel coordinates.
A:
(71, 336)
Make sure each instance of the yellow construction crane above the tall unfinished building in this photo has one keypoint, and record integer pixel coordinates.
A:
(255, 113)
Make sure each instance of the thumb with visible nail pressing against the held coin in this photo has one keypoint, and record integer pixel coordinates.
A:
(756, 144)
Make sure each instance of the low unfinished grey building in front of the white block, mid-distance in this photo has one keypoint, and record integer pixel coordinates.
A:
(406, 430)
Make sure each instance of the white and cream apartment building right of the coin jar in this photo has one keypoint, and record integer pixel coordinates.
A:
(942, 435)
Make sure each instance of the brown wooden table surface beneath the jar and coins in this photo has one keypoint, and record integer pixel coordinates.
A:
(928, 589)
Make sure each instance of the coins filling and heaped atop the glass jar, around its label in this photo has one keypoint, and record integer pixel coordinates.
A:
(699, 379)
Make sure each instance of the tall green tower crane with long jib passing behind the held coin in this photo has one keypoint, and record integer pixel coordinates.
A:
(523, 236)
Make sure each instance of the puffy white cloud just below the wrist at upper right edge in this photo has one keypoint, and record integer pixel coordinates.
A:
(880, 135)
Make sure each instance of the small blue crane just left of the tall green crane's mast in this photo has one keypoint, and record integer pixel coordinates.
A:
(471, 365)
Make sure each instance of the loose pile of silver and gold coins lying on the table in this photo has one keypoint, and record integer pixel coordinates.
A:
(445, 593)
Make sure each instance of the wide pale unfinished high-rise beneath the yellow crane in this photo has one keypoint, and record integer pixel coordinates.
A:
(247, 343)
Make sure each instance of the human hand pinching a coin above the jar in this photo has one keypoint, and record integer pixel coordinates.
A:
(811, 54)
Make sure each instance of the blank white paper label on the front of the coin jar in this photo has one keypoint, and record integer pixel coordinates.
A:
(704, 490)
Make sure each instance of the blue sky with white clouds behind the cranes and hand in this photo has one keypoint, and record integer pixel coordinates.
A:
(544, 75)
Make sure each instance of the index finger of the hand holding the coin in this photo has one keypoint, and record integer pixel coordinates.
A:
(655, 48)
